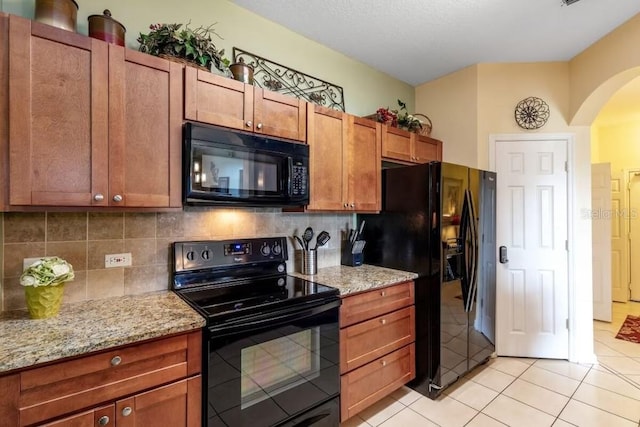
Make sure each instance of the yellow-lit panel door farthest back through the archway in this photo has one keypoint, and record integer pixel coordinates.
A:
(619, 239)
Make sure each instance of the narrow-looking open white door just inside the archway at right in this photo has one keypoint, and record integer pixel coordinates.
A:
(601, 216)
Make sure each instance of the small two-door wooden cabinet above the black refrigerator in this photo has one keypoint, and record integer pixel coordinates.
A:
(398, 144)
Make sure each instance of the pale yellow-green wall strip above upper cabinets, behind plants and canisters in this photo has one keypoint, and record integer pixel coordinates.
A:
(365, 89)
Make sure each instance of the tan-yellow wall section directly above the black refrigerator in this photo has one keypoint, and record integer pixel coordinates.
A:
(452, 105)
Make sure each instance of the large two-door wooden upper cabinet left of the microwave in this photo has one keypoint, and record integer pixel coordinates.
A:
(90, 124)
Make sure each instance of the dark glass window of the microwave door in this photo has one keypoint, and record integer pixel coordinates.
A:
(234, 172)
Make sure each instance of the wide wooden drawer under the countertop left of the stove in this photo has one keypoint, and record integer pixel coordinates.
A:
(65, 387)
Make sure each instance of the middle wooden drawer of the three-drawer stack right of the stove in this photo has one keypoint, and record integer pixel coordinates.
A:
(369, 340)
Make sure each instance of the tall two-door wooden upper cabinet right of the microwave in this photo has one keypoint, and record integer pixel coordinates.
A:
(345, 163)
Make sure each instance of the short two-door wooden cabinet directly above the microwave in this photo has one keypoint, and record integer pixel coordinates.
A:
(225, 102)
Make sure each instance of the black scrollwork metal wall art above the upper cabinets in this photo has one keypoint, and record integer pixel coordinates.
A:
(280, 78)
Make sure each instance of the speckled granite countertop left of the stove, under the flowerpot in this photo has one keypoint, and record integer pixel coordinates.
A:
(89, 326)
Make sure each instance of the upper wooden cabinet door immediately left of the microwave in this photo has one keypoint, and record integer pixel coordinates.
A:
(145, 129)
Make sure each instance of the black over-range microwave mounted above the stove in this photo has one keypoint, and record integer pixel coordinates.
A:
(233, 168)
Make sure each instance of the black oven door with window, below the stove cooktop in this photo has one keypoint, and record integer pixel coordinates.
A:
(276, 370)
